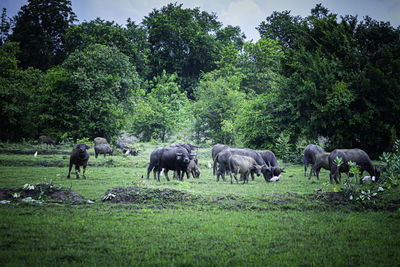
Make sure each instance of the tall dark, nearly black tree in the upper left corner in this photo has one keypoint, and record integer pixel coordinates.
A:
(40, 29)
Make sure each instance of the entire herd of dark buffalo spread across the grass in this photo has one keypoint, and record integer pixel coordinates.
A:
(227, 160)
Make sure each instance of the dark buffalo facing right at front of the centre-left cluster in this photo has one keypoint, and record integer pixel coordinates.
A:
(175, 158)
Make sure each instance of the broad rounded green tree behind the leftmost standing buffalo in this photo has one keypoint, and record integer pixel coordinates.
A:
(98, 86)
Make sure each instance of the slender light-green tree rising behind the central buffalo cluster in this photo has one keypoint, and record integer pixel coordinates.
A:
(159, 113)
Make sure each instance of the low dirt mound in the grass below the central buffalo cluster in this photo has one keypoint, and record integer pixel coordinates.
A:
(141, 195)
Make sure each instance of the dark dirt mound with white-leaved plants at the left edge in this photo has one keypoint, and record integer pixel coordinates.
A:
(42, 193)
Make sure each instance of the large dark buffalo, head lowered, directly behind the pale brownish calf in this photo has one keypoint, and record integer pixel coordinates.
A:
(223, 160)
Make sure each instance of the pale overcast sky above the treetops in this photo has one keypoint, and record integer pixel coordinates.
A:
(247, 14)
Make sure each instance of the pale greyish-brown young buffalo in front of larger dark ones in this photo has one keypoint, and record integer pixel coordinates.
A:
(243, 165)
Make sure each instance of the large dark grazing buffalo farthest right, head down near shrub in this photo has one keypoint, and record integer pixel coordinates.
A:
(355, 155)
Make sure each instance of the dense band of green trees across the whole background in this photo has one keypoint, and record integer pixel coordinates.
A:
(179, 73)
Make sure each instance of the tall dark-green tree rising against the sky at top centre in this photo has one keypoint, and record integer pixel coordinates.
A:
(182, 41)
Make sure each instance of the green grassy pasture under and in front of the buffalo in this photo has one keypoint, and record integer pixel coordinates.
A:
(294, 221)
